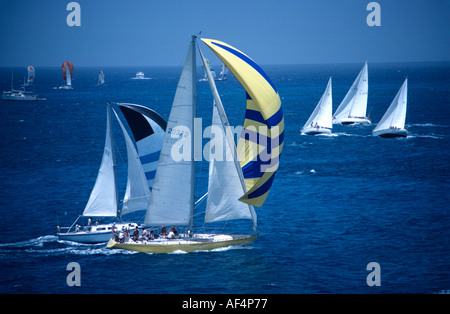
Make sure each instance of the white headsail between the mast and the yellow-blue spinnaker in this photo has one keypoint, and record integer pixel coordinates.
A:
(226, 181)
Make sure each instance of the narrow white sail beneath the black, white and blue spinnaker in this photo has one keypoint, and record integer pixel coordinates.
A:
(137, 193)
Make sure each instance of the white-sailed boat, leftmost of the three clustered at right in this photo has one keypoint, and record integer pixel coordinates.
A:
(320, 120)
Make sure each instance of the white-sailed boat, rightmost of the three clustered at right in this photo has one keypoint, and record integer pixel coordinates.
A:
(392, 124)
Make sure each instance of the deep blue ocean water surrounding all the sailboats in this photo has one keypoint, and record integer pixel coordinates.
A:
(337, 204)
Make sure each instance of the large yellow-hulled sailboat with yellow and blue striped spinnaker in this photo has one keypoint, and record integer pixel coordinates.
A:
(236, 184)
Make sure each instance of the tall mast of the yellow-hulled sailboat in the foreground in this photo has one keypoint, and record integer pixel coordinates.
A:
(194, 110)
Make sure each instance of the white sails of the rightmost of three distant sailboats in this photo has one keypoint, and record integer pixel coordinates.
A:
(395, 116)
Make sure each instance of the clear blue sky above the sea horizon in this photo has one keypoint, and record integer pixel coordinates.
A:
(157, 32)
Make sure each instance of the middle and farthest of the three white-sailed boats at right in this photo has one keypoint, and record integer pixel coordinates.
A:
(352, 109)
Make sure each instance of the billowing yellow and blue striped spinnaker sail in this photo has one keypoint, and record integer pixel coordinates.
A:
(262, 138)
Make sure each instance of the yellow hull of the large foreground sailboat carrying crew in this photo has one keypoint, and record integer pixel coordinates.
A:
(199, 242)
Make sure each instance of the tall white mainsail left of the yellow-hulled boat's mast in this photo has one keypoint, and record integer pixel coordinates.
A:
(172, 197)
